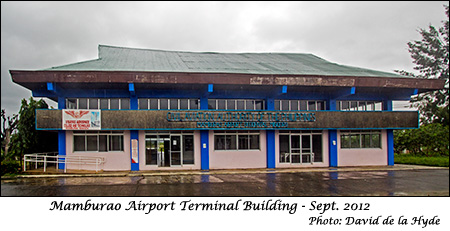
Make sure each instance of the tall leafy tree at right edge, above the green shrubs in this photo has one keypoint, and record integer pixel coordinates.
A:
(431, 56)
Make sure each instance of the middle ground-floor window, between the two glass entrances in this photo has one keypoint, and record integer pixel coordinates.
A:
(236, 140)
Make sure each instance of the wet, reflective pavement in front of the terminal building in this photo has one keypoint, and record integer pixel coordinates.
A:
(399, 180)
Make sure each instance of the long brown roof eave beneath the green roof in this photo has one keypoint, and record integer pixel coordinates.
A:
(423, 85)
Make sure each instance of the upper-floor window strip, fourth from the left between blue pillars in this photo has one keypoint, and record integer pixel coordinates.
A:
(300, 105)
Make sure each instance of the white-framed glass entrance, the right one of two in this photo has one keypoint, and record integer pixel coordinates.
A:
(299, 147)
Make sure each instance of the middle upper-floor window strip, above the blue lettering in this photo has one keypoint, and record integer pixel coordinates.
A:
(236, 104)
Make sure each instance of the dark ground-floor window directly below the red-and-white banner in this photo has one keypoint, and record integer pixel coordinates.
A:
(97, 141)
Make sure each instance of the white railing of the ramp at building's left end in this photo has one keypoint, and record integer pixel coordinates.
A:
(47, 158)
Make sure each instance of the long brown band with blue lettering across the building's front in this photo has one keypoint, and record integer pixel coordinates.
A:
(223, 120)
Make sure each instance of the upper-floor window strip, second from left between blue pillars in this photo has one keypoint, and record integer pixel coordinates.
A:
(166, 104)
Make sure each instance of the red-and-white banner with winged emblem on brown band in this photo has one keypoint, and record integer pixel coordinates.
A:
(81, 119)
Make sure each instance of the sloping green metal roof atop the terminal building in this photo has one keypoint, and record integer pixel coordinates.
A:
(132, 59)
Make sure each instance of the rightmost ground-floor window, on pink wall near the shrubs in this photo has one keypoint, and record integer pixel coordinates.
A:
(361, 139)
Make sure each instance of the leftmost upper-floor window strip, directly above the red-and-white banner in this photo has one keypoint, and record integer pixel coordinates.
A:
(96, 103)
